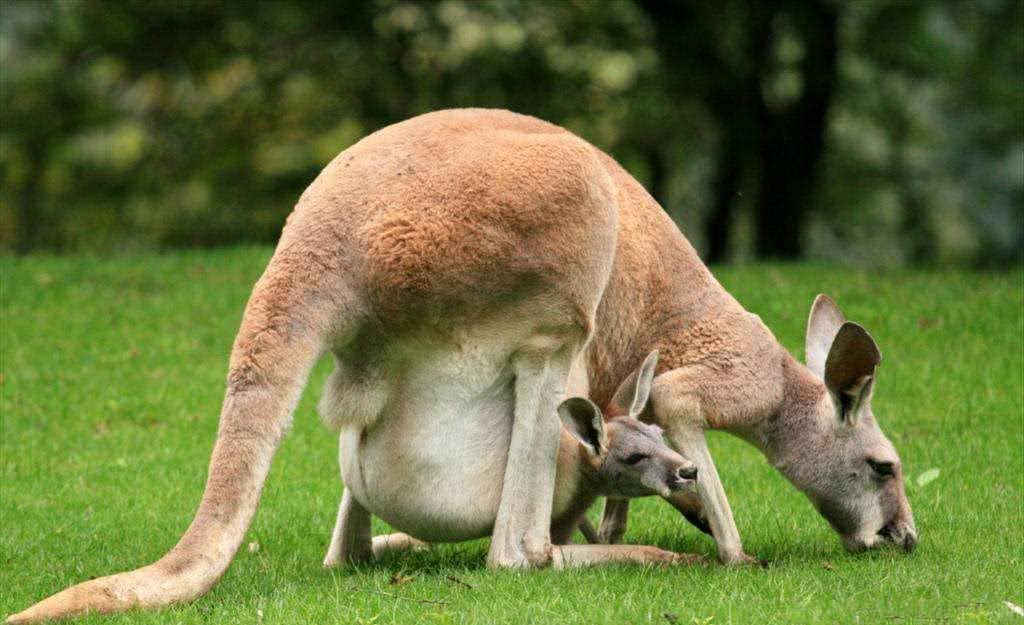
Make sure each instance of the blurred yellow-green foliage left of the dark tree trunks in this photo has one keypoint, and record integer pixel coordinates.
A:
(176, 124)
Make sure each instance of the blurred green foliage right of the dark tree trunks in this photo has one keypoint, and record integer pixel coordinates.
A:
(926, 155)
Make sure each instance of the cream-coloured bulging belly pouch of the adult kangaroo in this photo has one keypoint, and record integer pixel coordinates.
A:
(425, 448)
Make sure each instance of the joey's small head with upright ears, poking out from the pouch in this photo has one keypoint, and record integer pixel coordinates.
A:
(629, 459)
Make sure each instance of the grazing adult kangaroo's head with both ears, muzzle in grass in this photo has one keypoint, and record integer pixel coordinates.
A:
(835, 451)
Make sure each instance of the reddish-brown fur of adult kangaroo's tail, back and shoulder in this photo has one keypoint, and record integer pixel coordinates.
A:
(441, 221)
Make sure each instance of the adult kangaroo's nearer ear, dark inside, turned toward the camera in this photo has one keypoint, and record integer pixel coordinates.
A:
(850, 370)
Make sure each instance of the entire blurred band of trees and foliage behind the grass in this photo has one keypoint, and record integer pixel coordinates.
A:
(139, 126)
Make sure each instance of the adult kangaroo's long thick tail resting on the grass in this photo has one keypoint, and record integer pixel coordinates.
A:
(282, 337)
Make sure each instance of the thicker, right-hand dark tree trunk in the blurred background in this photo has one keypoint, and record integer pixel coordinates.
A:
(793, 140)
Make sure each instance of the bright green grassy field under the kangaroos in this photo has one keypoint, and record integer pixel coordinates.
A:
(113, 372)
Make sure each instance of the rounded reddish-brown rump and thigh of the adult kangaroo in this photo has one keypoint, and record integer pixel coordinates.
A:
(445, 213)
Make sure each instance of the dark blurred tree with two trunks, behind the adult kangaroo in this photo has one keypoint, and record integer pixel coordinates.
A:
(767, 71)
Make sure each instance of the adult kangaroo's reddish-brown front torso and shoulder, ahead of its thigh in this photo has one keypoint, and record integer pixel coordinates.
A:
(661, 297)
